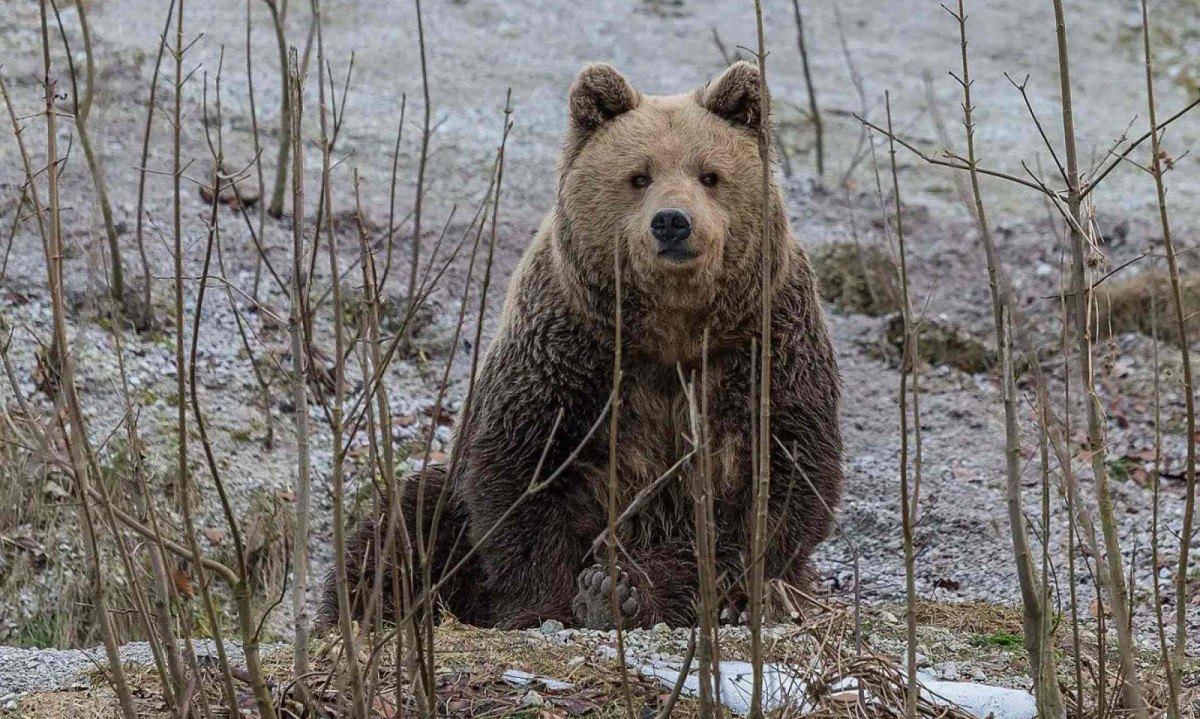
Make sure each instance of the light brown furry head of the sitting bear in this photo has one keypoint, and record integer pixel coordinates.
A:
(671, 183)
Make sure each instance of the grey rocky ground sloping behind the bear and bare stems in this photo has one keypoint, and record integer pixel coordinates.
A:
(477, 51)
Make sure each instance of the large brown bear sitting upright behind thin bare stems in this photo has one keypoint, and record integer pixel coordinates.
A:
(674, 184)
